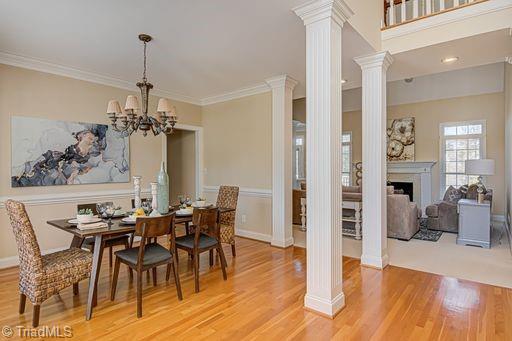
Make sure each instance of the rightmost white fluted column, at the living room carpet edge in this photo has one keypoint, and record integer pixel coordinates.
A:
(374, 68)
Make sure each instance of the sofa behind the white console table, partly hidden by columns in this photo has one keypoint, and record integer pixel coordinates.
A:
(402, 215)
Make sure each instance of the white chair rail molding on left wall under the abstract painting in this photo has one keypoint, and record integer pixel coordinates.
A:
(71, 197)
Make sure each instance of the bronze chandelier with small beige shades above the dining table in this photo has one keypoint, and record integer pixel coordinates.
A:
(130, 122)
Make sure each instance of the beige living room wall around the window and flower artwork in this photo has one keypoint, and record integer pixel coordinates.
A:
(430, 114)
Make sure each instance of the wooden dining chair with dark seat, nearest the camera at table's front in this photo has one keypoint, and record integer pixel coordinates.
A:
(149, 255)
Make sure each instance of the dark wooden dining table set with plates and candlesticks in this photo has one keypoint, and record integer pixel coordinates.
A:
(116, 228)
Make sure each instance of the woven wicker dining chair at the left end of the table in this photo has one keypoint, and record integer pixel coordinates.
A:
(43, 276)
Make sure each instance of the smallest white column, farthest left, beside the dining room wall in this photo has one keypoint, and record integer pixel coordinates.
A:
(282, 106)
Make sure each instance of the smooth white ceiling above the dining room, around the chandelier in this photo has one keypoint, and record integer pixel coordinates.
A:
(200, 48)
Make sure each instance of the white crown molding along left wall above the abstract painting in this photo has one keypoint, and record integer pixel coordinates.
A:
(43, 66)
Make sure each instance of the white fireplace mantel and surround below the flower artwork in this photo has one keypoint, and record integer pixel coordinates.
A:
(419, 173)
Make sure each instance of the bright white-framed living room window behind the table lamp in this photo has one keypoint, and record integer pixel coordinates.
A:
(459, 142)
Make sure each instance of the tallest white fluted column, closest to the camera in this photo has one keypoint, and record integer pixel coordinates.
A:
(324, 21)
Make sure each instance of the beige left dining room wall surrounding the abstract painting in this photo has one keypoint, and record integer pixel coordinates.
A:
(30, 93)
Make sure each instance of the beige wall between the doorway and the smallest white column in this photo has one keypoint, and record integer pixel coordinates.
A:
(238, 151)
